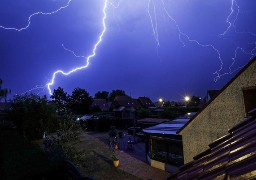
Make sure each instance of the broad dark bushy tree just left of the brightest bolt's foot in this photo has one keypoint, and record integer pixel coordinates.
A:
(33, 115)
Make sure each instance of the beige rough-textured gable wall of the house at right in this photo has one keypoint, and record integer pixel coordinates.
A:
(221, 113)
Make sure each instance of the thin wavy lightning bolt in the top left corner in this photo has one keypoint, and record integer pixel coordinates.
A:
(35, 14)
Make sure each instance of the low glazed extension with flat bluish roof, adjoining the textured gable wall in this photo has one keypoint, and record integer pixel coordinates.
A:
(164, 148)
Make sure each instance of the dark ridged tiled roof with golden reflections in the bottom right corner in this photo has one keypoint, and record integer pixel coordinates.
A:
(232, 156)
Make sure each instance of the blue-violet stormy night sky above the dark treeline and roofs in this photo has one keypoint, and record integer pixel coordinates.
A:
(129, 56)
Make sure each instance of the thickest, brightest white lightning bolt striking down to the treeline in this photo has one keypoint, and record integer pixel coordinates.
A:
(87, 58)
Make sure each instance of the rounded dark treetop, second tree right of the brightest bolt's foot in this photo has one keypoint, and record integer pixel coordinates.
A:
(80, 101)
